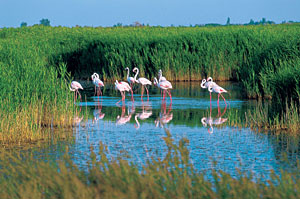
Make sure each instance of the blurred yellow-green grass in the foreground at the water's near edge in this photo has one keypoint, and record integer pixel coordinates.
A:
(171, 177)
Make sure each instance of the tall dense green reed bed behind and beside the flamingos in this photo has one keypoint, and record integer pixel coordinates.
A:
(37, 64)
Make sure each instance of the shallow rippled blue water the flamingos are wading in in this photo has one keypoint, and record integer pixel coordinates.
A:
(139, 127)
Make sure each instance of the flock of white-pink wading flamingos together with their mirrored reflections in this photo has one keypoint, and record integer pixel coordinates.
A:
(163, 84)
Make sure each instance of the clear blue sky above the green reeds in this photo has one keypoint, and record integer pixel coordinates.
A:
(153, 12)
